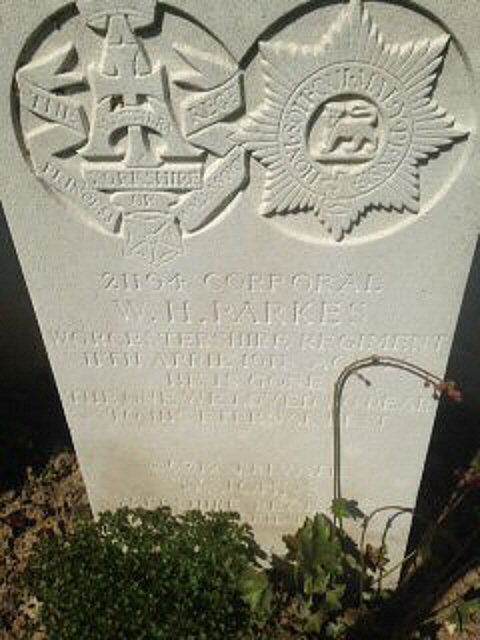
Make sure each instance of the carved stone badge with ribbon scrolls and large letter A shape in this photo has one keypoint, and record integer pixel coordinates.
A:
(148, 158)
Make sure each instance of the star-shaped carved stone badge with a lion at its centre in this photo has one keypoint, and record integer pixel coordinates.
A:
(345, 124)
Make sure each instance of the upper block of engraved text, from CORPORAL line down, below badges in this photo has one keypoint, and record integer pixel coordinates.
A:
(235, 357)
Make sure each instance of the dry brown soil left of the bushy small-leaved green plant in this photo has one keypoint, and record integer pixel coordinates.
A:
(49, 504)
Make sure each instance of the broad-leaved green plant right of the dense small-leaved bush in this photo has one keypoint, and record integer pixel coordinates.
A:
(313, 590)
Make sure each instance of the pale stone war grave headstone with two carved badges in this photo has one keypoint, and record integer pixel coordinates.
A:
(219, 205)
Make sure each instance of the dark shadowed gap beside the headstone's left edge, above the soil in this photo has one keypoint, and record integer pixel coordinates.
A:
(32, 424)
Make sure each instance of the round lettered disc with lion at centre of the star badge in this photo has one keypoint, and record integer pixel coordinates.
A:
(351, 117)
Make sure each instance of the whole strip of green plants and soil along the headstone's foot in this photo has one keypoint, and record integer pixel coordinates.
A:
(151, 574)
